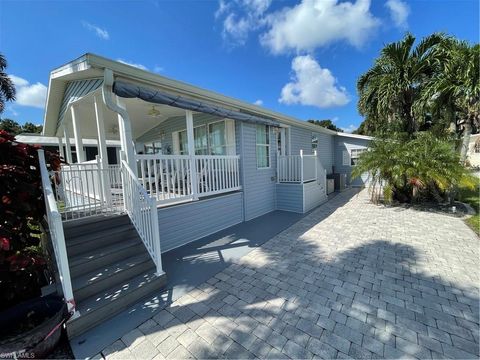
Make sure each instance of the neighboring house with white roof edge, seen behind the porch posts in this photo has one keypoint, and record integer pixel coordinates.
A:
(90, 146)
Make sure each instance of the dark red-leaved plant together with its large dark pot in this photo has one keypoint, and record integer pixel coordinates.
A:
(30, 324)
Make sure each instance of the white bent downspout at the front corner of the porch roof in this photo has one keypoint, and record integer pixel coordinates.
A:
(126, 134)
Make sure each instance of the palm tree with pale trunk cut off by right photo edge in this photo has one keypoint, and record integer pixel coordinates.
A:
(455, 89)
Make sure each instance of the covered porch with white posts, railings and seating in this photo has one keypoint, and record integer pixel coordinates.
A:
(174, 155)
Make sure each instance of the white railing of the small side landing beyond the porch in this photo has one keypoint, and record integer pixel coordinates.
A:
(297, 168)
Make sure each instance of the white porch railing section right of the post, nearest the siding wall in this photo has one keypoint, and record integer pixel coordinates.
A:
(217, 174)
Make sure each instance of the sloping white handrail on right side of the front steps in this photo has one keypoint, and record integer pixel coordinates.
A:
(142, 210)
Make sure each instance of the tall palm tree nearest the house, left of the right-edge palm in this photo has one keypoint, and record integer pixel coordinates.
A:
(388, 90)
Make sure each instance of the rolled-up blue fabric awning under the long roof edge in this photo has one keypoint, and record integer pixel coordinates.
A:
(127, 90)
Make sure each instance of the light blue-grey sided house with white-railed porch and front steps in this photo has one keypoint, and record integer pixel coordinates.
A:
(193, 162)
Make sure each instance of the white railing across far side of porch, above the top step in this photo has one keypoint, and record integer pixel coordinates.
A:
(88, 189)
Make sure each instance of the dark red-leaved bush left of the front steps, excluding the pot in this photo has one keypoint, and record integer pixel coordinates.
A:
(22, 208)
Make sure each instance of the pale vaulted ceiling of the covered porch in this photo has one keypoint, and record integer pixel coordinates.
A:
(137, 109)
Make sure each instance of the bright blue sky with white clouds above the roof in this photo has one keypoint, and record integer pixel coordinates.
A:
(301, 58)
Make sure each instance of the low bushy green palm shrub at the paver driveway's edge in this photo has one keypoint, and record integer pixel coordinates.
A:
(412, 169)
